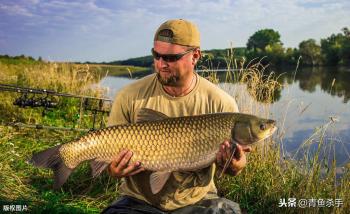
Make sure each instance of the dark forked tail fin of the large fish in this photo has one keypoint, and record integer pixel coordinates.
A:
(50, 158)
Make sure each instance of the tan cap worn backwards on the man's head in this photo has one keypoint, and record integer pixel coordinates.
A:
(178, 31)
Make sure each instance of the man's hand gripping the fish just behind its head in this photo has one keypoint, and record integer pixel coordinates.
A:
(239, 159)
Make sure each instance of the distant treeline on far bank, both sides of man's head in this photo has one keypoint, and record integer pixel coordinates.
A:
(266, 43)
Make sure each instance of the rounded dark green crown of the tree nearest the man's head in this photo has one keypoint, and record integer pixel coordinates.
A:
(262, 38)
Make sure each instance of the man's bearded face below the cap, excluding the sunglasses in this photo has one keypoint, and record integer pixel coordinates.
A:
(176, 72)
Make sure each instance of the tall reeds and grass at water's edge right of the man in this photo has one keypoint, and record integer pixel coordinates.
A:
(270, 175)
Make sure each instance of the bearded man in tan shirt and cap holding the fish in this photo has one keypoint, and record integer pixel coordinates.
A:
(175, 90)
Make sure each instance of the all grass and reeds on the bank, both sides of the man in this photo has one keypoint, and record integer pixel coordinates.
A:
(269, 177)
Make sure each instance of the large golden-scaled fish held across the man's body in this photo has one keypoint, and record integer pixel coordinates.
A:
(162, 144)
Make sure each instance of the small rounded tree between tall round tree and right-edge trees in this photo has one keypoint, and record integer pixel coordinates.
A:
(310, 52)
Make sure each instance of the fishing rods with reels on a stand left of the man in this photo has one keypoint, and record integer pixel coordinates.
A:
(28, 98)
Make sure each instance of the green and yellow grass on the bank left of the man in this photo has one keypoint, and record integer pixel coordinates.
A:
(21, 183)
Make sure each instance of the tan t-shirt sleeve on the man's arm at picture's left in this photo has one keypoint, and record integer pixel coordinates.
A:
(120, 113)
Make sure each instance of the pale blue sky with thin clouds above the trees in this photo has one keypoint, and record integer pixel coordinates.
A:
(109, 30)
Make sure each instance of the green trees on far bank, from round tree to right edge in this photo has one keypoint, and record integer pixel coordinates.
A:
(331, 51)
